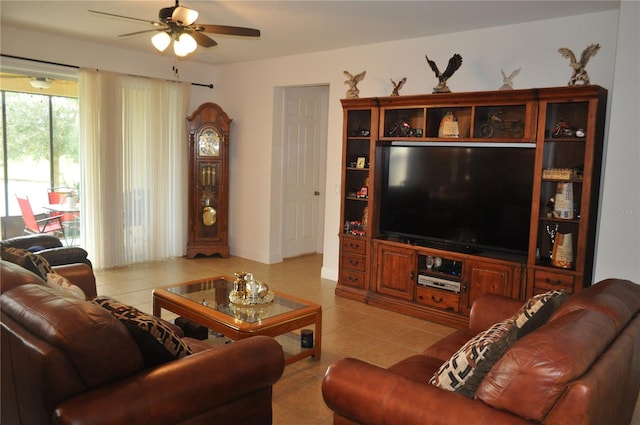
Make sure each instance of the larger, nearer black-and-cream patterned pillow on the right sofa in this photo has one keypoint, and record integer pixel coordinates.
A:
(466, 369)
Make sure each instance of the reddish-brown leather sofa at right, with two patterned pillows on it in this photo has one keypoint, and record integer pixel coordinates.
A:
(581, 367)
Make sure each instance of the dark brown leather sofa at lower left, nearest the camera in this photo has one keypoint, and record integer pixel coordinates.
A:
(69, 361)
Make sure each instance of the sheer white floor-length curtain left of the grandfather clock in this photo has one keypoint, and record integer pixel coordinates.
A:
(134, 177)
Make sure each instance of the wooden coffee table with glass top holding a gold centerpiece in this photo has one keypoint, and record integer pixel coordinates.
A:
(206, 302)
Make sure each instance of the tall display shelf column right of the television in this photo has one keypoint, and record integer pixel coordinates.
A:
(570, 139)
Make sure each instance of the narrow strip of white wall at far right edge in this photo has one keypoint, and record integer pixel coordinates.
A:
(618, 253)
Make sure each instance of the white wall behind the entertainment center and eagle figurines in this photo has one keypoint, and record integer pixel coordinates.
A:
(247, 92)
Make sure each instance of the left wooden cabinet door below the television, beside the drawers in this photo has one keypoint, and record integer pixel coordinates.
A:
(395, 271)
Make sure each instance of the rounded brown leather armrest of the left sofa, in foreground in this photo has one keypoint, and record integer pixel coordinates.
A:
(183, 389)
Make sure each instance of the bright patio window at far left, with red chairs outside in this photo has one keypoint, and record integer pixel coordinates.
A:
(40, 142)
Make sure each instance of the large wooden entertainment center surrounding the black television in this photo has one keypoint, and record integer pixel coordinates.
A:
(565, 128)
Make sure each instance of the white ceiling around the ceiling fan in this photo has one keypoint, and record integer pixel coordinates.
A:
(287, 27)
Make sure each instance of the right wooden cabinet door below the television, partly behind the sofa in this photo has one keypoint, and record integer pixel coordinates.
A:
(482, 277)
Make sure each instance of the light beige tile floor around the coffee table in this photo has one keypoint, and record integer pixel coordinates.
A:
(349, 328)
